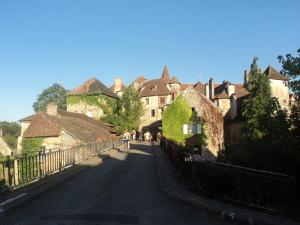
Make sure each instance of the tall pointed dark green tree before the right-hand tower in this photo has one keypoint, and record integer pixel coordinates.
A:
(262, 112)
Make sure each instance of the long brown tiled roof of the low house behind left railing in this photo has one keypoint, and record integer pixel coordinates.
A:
(78, 125)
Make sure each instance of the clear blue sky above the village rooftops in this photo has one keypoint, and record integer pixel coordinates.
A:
(68, 41)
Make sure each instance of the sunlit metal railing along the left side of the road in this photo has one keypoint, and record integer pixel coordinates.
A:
(20, 170)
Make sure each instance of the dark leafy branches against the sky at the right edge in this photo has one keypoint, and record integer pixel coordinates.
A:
(291, 69)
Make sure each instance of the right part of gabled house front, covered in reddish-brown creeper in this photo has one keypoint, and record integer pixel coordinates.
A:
(212, 117)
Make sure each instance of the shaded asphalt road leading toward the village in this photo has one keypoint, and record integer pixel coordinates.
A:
(122, 190)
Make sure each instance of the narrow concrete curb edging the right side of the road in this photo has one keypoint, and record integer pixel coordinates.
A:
(229, 216)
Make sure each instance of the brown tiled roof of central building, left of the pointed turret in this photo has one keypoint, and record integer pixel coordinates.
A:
(154, 88)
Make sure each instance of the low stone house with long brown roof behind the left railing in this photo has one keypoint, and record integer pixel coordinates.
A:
(61, 129)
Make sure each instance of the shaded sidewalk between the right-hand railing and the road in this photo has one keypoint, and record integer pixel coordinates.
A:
(172, 187)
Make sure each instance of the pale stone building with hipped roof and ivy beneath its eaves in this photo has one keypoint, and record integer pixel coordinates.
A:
(90, 97)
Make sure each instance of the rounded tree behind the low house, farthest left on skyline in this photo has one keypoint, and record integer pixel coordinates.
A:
(55, 93)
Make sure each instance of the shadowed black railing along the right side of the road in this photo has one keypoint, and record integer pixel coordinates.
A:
(255, 188)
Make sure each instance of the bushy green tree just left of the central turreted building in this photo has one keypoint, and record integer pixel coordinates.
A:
(127, 112)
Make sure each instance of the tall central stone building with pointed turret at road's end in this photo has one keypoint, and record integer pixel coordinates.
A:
(155, 95)
